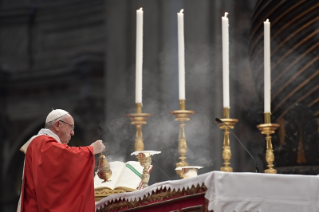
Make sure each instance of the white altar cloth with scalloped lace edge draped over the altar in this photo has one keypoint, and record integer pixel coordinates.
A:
(243, 192)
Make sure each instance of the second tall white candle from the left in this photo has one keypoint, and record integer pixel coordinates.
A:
(181, 55)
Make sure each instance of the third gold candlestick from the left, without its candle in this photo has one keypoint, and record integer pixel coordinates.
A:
(226, 144)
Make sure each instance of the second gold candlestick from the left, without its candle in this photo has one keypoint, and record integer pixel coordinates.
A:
(182, 115)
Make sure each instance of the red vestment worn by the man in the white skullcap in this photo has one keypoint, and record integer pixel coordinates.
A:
(58, 177)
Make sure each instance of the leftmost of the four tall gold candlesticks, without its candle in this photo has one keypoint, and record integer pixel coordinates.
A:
(138, 119)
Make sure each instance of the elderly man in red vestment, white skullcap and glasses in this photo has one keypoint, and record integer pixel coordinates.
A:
(57, 177)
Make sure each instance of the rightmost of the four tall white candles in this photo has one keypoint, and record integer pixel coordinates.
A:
(267, 72)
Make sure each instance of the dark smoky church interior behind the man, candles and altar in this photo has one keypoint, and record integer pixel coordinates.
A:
(79, 55)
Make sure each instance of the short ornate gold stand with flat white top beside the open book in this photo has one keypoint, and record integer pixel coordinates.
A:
(145, 159)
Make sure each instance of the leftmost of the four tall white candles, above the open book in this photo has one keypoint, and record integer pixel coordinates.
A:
(139, 56)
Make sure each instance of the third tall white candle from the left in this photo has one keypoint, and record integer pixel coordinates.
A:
(225, 36)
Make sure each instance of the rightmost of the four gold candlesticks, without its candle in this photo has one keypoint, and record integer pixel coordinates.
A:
(267, 129)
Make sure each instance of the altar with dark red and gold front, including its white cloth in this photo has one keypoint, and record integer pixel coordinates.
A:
(222, 192)
